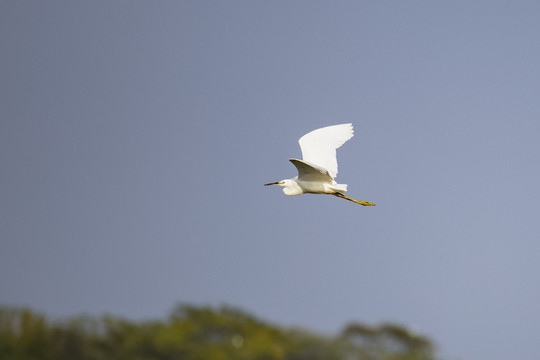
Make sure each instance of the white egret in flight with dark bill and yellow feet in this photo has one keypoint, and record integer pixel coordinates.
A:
(318, 169)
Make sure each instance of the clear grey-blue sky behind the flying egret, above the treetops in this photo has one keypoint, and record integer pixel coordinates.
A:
(136, 136)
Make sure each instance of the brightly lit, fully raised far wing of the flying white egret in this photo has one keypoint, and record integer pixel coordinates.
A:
(319, 146)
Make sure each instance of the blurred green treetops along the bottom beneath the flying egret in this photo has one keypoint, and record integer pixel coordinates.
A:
(197, 333)
